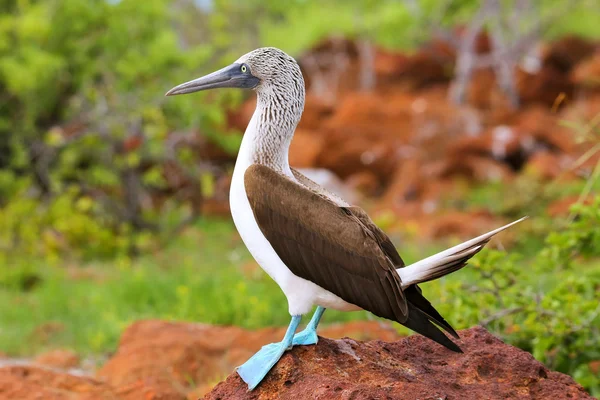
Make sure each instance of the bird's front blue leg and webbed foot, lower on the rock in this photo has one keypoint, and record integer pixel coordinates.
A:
(256, 368)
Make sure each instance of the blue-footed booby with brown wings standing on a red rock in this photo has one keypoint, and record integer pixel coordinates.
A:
(319, 249)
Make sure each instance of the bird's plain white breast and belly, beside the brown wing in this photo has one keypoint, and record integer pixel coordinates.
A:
(302, 294)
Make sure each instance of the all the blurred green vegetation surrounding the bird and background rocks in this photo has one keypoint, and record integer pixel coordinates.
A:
(108, 189)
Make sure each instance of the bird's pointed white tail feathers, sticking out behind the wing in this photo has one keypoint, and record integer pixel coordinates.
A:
(447, 261)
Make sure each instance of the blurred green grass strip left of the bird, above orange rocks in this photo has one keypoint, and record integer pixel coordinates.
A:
(206, 275)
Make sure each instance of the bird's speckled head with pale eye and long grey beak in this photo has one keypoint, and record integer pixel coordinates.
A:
(262, 70)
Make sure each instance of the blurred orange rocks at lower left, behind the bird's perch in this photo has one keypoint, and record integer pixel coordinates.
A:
(156, 360)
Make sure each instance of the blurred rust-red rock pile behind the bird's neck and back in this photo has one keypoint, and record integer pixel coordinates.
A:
(402, 141)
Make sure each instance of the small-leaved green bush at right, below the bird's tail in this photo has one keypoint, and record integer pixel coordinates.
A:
(545, 302)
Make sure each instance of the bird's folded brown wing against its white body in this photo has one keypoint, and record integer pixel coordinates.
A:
(325, 244)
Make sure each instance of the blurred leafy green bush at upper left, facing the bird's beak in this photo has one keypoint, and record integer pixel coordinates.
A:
(79, 81)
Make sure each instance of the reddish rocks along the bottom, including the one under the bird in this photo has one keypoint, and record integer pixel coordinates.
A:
(159, 360)
